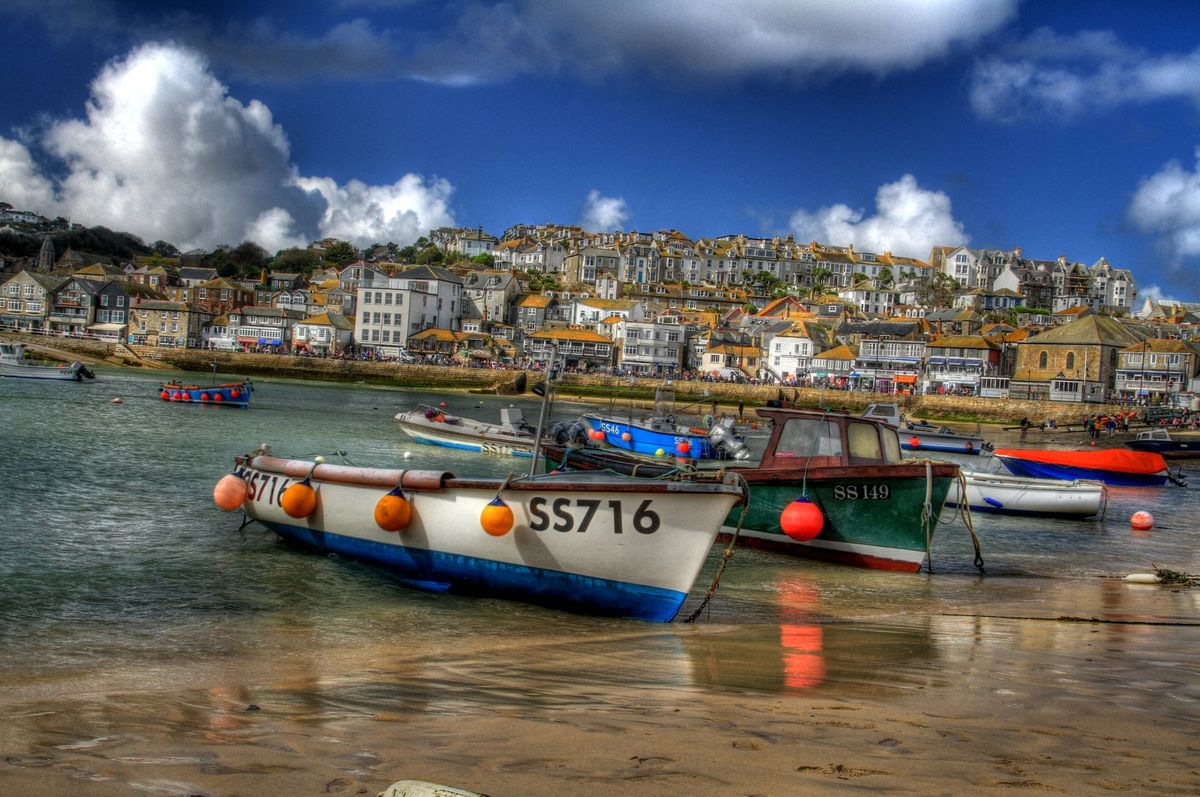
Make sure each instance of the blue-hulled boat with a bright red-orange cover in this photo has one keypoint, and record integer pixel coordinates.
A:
(1118, 468)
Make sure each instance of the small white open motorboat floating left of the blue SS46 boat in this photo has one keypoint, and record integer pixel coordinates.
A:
(435, 427)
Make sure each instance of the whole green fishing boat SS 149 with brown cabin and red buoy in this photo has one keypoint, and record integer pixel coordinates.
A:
(862, 504)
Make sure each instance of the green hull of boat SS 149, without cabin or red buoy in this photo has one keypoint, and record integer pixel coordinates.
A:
(873, 514)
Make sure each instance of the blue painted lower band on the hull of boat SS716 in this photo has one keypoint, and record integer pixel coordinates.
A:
(439, 572)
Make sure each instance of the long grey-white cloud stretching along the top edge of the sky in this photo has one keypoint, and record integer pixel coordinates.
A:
(717, 39)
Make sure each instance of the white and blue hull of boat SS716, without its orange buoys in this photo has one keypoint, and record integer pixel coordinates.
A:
(603, 546)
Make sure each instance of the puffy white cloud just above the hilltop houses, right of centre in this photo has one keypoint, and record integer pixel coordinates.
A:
(909, 221)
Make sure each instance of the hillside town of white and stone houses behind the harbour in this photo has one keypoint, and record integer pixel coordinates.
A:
(982, 322)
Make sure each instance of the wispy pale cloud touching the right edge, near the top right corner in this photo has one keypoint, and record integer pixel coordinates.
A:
(1059, 77)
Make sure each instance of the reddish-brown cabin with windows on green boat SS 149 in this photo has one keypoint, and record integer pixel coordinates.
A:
(815, 440)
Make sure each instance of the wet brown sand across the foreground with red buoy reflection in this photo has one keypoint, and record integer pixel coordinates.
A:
(1010, 685)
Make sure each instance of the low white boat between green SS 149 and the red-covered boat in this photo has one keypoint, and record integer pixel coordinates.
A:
(1027, 496)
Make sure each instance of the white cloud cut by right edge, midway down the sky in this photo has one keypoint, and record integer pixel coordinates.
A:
(1168, 205)
